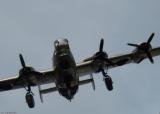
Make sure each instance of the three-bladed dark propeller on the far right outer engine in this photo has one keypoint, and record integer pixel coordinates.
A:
(145, 47)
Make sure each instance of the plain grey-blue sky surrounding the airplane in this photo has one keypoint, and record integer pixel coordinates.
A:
(30, 27)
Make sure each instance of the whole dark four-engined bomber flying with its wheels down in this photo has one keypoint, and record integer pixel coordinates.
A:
(66, 73)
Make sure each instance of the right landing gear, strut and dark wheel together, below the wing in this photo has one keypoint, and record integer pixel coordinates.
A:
(108, 81)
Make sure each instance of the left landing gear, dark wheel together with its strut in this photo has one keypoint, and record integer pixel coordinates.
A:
(29, 98)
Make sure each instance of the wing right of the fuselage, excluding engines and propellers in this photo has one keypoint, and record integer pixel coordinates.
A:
(91, 66)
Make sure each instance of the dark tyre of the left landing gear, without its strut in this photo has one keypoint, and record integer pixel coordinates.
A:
(30, 100)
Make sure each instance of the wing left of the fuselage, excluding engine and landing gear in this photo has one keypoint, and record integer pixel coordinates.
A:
(21, 82)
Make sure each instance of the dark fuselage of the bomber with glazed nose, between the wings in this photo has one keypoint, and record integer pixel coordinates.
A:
(67, 79)
